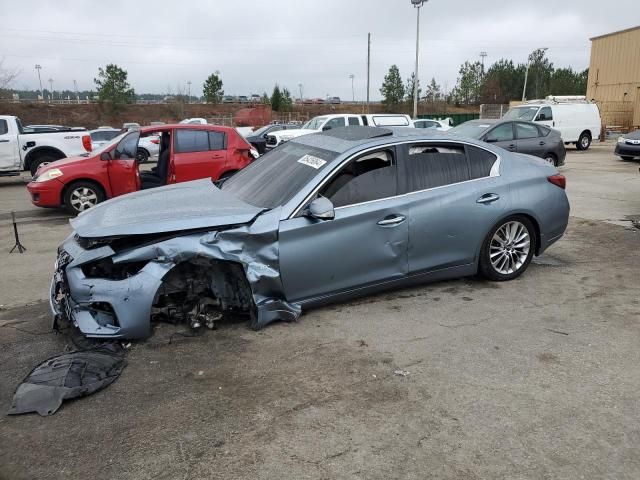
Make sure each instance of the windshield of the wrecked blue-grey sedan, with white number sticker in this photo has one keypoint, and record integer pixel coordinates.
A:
(276, 177)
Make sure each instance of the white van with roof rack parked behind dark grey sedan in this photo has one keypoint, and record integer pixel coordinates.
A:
(577, 120)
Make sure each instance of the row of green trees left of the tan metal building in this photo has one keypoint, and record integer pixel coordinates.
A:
(502, 82)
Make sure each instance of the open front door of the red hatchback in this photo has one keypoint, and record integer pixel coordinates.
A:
(123, 167)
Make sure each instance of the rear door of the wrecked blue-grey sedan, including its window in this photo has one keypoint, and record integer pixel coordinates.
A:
(453, 199)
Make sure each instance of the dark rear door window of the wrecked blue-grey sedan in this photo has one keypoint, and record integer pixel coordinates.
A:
(426, 166)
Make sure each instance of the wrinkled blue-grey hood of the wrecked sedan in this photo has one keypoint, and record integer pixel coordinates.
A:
(183, 206)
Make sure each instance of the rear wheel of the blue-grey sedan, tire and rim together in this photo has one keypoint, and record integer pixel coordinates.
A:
(503, 259)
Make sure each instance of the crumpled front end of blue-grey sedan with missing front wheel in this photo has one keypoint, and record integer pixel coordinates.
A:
(115, 287)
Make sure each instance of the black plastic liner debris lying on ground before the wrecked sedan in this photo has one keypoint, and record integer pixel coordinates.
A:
(71, 375)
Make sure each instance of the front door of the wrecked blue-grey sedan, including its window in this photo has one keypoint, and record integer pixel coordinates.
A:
(365, 244)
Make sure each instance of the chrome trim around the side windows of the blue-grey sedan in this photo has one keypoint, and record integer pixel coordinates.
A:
(495, 172)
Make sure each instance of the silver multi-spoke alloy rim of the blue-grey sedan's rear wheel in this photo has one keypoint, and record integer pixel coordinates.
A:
(509, 247)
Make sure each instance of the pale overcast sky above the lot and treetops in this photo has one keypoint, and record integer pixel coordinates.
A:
(256, 43)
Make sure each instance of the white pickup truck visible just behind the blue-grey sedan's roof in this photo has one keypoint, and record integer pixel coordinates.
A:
(327, 122)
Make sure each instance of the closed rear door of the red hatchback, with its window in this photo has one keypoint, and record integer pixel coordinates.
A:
(193, 157)
